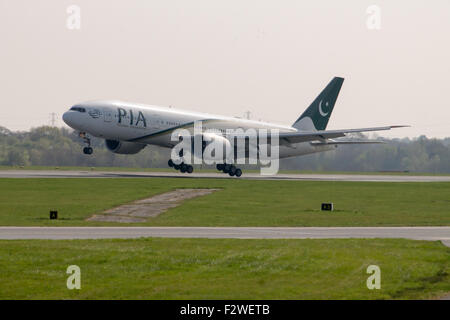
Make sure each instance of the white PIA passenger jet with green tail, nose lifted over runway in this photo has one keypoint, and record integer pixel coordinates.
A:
(128, 127)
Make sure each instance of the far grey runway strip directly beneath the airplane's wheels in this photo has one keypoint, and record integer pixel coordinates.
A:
(253, 176)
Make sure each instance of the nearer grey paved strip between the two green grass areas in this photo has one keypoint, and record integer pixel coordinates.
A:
(57, 233)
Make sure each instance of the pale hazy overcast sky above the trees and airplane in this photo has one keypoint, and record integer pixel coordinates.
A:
(271, 58)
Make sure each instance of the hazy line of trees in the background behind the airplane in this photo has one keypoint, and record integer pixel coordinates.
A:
(51, 146)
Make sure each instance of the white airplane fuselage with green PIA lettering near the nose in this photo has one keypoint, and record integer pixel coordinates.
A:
(146, 124)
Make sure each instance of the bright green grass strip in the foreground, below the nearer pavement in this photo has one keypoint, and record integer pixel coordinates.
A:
(223, 269)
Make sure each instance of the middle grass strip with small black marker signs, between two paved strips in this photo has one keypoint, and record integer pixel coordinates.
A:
(238, 203)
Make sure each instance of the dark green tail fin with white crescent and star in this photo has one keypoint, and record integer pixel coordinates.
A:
(318, 113)
